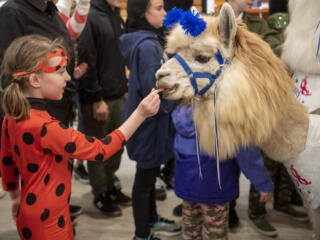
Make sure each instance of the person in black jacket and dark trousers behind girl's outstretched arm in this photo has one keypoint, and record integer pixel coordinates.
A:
(101, 94)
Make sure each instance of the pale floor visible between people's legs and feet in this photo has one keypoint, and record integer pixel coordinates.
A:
(94, 226)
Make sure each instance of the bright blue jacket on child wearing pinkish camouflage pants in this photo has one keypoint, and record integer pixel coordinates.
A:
(188, 184)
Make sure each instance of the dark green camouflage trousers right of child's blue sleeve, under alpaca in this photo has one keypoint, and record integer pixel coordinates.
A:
(284, 187)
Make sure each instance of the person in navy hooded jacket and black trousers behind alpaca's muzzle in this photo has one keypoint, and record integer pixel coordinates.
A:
(152, 144)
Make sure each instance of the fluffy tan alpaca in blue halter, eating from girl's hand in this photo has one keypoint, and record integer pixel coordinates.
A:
(253, 103)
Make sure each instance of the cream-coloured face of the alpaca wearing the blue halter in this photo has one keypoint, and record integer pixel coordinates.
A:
(200, 57)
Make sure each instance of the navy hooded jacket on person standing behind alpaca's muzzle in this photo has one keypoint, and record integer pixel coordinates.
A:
(152, 144)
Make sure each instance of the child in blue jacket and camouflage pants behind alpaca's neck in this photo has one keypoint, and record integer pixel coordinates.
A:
(206, 203)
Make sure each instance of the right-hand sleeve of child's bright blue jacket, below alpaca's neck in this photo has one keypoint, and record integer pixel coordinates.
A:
(250, 162)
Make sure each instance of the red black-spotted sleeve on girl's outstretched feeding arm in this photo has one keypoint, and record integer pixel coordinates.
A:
(57, 139)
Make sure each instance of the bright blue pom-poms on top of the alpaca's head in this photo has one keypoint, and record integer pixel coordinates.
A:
(190, 21)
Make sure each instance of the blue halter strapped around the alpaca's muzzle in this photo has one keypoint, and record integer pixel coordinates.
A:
(195, 75)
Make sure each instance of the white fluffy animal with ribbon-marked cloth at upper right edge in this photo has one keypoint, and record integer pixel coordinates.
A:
(301, 50)
